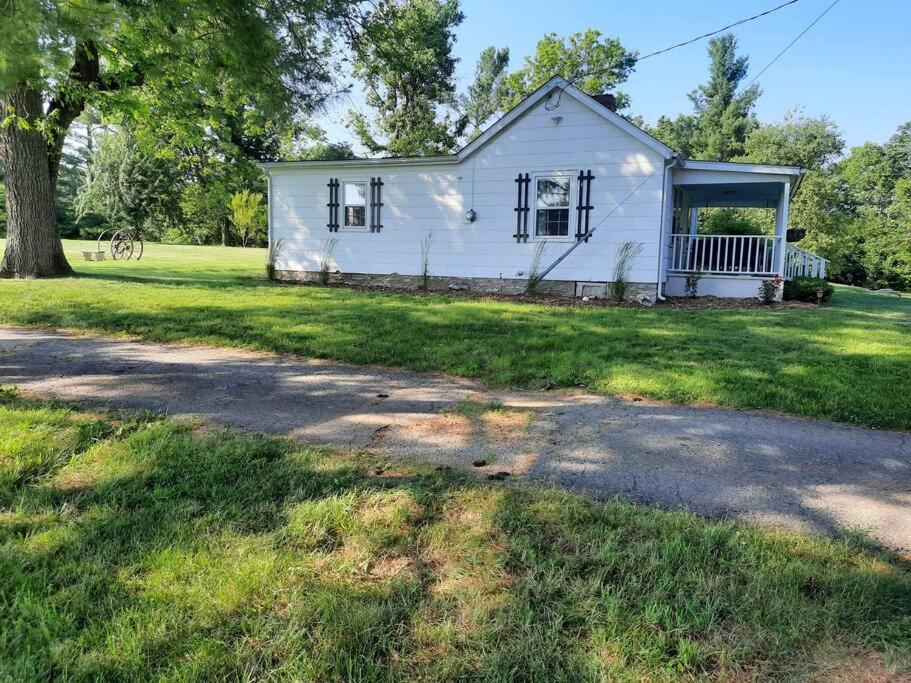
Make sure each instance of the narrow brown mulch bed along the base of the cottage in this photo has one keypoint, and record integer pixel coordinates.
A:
(701, 303)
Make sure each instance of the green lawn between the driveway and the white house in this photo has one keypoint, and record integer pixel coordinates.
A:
(848, 361)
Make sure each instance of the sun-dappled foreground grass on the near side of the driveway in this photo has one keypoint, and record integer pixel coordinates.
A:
(135, 547)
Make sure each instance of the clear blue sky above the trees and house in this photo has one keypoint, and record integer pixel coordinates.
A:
(854, 65)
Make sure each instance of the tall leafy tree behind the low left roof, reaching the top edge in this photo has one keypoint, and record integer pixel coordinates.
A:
(404, 58)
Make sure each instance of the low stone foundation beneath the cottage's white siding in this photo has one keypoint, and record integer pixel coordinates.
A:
(478, 285)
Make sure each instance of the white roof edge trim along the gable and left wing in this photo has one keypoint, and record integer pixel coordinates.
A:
(544, 92)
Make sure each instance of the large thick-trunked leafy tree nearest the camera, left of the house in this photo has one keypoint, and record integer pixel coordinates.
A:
(168, 62)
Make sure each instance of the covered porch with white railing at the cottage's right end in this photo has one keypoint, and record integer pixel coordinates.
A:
(733, 264)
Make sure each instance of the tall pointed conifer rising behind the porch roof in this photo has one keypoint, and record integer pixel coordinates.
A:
(722, 117)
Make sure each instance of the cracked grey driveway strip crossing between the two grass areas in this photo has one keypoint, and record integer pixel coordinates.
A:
(815, 476)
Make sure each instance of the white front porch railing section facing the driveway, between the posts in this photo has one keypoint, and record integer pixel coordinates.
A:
(724, 254)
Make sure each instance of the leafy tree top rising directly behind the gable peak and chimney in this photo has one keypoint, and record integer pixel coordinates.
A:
(593, 63)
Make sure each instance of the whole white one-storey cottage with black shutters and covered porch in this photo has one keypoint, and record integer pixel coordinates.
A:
(561, 168)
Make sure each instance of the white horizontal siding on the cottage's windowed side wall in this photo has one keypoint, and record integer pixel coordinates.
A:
(434, 197)
